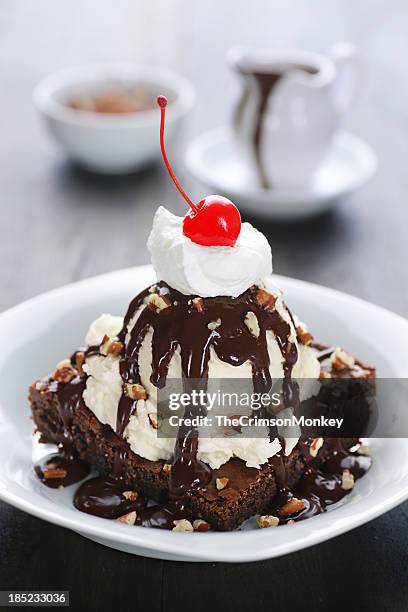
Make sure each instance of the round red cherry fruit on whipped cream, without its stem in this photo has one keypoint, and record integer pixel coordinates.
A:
(217, 222)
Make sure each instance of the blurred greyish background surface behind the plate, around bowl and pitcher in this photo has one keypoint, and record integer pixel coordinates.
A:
(59, 223)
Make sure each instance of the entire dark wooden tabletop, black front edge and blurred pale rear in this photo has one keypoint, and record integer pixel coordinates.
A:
(59, 224)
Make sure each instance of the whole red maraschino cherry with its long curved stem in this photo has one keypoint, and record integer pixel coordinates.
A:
(214, 221)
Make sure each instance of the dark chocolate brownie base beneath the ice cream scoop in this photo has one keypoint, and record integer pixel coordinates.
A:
(249, 491)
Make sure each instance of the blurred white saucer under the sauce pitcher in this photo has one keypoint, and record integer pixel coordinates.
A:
(213, 160)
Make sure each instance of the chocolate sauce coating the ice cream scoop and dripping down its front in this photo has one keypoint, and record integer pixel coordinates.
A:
(184, 326)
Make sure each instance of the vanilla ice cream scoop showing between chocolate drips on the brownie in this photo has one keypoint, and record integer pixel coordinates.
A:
(104, 389)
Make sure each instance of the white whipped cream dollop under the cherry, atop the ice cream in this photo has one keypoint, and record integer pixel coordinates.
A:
(207, 271)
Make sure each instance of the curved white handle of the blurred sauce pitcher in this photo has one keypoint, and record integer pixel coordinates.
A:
(346, 57)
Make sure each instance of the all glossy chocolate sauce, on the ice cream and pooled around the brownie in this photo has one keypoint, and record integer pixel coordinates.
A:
(183, 325)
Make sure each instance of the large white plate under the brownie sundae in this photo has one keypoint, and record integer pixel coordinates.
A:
(38, 333)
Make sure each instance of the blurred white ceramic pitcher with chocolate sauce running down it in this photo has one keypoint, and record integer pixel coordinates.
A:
(290, 107)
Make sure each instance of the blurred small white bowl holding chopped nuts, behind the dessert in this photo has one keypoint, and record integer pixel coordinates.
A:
(111, 143)
